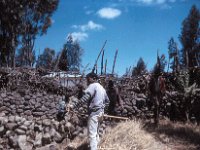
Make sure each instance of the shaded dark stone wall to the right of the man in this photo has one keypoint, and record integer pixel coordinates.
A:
(175, 103)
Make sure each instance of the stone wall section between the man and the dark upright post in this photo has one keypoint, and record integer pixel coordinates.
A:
(134, 96)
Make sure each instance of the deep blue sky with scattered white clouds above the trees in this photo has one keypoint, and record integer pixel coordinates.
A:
(137, 28)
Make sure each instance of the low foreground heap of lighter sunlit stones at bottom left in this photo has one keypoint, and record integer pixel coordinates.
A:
(19, 133)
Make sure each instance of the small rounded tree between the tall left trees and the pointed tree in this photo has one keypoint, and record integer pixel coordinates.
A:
(47, 59)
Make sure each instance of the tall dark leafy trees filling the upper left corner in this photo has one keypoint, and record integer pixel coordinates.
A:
(20, 22)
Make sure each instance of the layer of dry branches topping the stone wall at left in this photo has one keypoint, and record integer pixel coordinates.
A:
(22, 79)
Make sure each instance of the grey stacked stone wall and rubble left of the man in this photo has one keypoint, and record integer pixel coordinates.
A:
(30, 121)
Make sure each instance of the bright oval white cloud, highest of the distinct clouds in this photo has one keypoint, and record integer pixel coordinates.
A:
(109, 13)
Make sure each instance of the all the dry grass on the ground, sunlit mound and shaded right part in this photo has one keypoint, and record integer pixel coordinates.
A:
(140, 135)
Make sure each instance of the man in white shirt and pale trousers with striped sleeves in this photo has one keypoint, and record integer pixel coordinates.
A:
(96, 98)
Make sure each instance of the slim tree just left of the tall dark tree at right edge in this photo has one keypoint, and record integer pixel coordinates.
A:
(173, 54)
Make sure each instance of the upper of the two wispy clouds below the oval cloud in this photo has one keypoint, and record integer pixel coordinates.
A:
(89, 26)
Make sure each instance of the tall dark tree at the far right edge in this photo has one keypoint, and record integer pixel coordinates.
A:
(189, 38)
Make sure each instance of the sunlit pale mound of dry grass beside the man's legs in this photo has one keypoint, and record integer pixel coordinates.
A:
(130, 136)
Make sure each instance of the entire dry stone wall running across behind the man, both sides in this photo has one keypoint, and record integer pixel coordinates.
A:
(28, 115)
